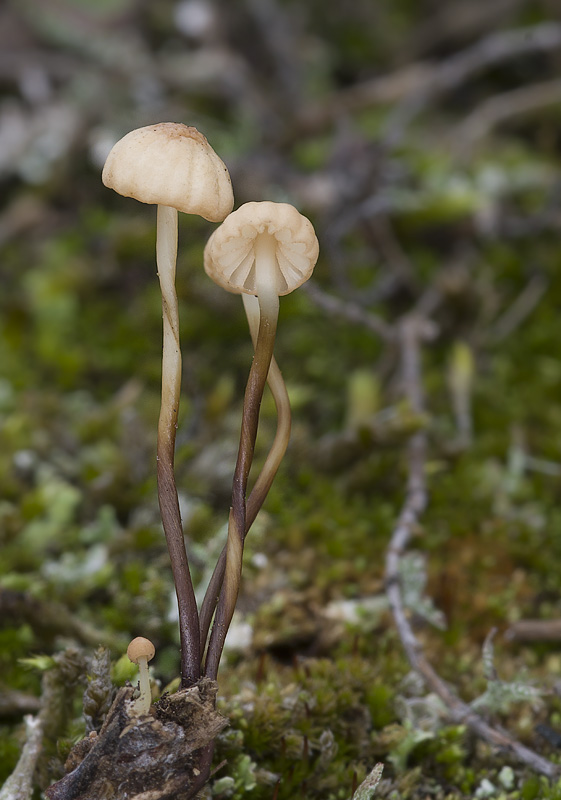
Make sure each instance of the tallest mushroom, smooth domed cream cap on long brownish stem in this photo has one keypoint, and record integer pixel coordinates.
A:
(173, 166)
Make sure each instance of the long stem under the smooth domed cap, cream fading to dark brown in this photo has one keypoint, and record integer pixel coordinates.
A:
(166, 256)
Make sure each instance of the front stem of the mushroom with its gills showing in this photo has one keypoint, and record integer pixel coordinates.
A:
(265, 263)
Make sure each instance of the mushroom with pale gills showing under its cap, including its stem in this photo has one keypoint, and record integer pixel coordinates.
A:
(267, 250)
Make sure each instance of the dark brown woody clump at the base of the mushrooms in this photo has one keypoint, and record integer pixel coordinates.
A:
(162, 757)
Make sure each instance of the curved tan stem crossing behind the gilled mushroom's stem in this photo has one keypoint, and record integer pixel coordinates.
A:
(267, 474)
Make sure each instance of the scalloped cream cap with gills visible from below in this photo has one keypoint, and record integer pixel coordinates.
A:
(230, 251)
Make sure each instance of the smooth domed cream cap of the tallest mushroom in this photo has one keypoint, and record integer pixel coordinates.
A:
(170, 164)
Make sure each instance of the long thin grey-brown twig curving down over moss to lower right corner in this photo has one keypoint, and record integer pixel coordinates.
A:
(413, 331)
